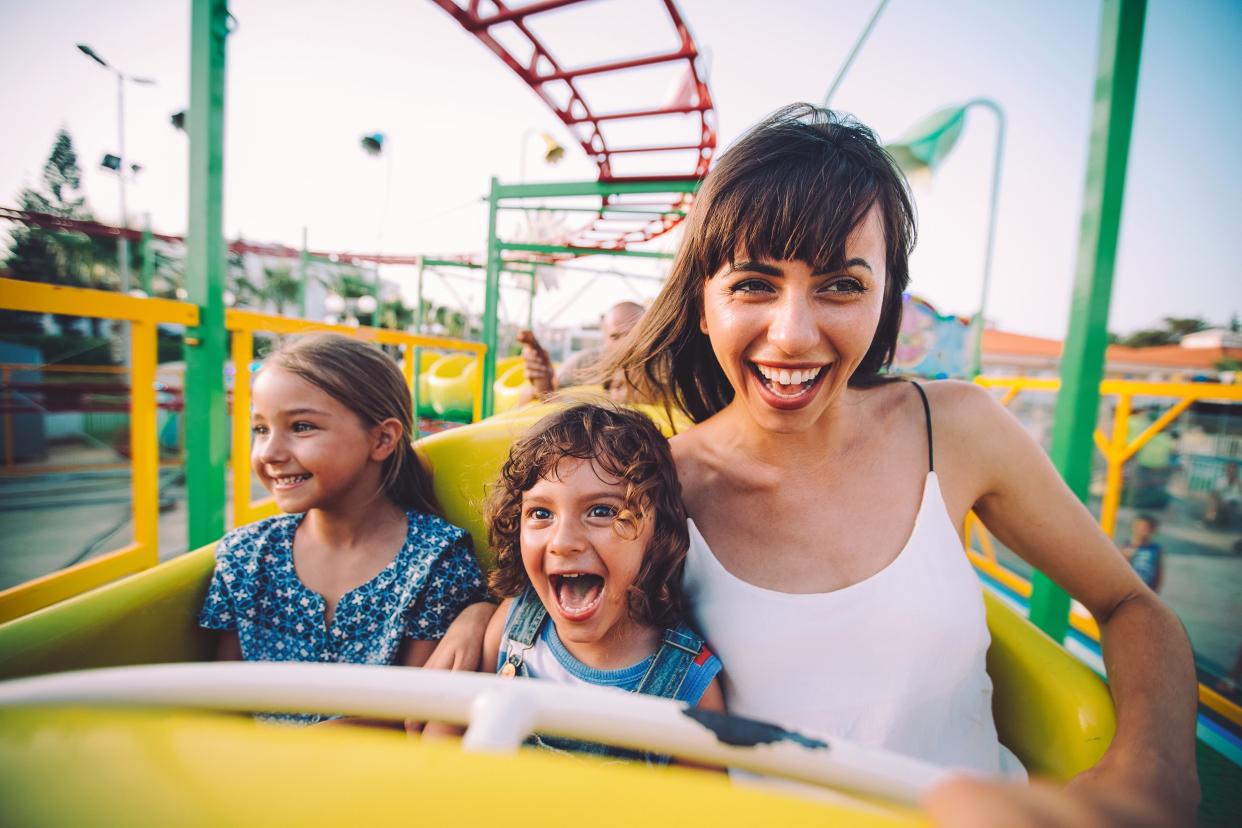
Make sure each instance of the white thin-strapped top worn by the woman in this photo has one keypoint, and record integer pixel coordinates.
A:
(896, 661)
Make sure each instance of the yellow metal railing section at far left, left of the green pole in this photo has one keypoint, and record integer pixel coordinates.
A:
(143, 317)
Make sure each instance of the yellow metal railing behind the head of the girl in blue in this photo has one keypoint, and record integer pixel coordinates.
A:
(243, 326)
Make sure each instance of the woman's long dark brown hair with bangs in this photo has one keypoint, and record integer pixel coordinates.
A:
(793, 188)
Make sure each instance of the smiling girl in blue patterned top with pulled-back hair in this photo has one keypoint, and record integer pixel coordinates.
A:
(361, 568)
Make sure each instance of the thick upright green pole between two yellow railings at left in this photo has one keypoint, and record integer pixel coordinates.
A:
(207, 426)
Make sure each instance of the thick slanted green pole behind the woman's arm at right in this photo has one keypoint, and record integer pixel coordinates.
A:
(1082, 364)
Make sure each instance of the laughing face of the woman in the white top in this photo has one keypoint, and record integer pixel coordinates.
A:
(789, 338)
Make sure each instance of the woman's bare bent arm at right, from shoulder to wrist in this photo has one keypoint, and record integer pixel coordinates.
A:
(1024, 502)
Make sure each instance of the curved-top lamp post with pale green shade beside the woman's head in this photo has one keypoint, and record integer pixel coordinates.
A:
(925, 147)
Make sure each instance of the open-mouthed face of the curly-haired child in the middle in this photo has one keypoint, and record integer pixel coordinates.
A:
(576, 559)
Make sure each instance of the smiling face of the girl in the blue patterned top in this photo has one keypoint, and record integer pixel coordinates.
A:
(309, 450)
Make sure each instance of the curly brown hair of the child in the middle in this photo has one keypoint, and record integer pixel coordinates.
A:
(628, 446)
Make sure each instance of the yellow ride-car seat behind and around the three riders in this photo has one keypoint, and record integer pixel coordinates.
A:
(1051, 711)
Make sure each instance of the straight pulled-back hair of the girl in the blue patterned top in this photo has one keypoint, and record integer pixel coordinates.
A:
(367, 382)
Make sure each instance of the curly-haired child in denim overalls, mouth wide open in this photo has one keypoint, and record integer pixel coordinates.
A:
(591, 534)
